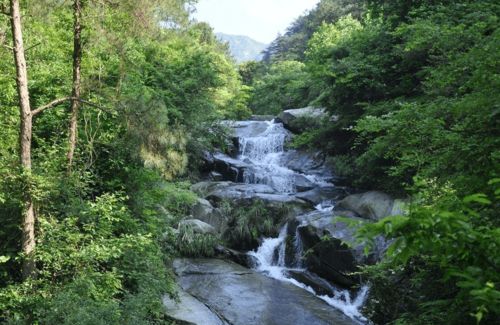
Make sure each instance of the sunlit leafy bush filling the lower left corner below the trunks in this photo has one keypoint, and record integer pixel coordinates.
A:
(85, 264)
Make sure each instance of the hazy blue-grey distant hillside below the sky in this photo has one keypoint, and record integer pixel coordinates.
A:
(243, 48)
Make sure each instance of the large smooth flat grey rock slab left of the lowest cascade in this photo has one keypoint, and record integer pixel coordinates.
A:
(240, 296)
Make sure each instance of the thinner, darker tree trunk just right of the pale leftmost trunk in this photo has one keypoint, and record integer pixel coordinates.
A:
(75, 95)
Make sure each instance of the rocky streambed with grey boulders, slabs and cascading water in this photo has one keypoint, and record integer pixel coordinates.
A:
(300, 275)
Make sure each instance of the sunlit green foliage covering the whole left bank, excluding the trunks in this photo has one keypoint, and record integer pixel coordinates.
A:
(157, 83)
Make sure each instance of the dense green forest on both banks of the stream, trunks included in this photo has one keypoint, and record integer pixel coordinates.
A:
(108, 107)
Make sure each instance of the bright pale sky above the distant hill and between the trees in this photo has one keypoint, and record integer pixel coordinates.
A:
(262, 20)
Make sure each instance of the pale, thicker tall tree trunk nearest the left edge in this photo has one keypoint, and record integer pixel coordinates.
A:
(28, 237)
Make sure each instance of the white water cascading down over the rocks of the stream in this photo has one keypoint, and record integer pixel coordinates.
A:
(264, 153)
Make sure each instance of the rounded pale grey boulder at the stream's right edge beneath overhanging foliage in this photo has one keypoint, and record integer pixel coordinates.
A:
(373, 205)
